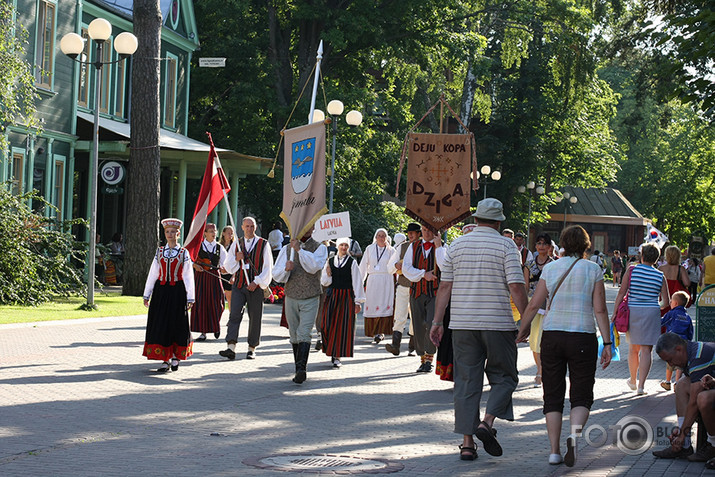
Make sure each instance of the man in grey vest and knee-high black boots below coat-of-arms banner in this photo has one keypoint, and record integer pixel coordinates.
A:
(302, 294)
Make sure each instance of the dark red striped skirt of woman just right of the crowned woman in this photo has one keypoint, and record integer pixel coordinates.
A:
(206, 312)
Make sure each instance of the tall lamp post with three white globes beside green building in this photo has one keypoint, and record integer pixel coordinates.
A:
(72, 45)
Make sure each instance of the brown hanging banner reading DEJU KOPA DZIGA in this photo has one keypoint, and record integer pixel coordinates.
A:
(438, 178)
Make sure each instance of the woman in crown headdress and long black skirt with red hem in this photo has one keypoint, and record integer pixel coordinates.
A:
(170, 285)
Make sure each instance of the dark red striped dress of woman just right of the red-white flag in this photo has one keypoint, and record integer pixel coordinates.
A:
(206, 312)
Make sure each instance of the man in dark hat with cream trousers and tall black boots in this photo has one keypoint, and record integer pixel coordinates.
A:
(402, 293)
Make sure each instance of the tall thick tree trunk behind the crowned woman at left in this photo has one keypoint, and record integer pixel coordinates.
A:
(145, 159)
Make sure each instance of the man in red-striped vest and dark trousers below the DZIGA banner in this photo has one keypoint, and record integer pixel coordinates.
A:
(421, 265)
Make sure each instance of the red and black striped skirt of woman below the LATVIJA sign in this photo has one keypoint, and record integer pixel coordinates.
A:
(338, 323)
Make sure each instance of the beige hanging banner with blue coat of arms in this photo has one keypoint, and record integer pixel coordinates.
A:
(303, 178)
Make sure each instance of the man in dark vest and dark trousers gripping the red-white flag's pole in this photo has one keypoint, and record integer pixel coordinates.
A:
(249, 257)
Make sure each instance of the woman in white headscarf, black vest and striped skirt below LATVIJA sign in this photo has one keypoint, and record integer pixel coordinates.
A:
(343, 296)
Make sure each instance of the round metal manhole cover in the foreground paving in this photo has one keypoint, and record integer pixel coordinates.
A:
(320, 463)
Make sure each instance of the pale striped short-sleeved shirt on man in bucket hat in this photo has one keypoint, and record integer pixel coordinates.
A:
(481, 265)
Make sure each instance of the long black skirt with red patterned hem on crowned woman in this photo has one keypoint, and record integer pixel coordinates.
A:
(167, 327)
